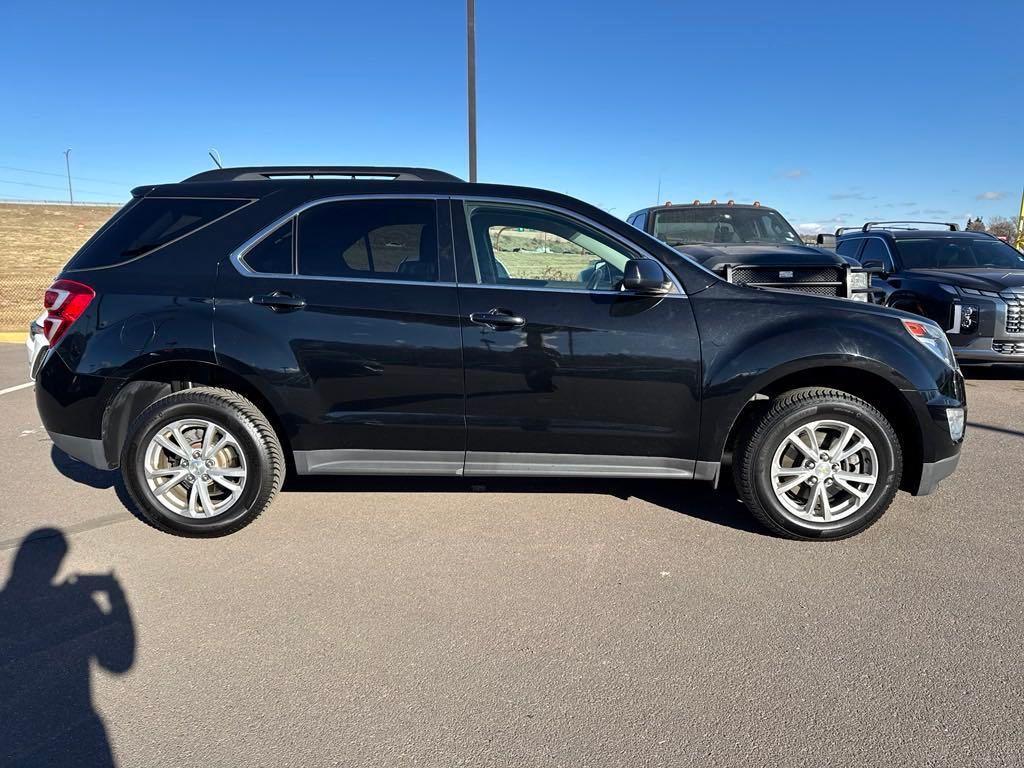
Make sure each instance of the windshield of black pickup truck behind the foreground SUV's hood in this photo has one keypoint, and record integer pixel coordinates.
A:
(716, 225)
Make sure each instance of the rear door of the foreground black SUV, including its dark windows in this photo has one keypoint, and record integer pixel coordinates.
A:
(346, 315)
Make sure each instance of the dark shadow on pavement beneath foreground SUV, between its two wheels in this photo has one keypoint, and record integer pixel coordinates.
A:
(695, 499)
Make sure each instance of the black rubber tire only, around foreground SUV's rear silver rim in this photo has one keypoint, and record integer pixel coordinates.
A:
(264, 457)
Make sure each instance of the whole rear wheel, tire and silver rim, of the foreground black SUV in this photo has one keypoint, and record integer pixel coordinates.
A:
(202, 462)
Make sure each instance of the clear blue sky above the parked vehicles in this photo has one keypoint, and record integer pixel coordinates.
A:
(832, 114)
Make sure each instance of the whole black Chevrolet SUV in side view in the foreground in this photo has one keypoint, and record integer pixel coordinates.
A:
(246, 323)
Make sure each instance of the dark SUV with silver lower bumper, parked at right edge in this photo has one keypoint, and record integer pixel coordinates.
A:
(972, 284)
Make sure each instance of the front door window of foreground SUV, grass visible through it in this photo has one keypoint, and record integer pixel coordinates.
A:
(533, 248)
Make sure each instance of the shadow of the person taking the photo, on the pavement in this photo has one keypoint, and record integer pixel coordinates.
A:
(51, 633)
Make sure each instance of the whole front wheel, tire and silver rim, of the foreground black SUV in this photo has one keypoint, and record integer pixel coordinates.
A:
(820, 464)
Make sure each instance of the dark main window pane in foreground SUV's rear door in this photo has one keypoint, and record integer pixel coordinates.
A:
(395, 240)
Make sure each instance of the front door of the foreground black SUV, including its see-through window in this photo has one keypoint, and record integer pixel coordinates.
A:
(566, 373)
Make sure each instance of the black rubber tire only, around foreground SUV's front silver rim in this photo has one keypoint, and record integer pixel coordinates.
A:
(756, 452)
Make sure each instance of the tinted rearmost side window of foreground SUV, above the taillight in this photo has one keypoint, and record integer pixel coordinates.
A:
(147, 225)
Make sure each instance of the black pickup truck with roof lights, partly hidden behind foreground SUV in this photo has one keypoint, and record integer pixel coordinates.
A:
(753, 245)
